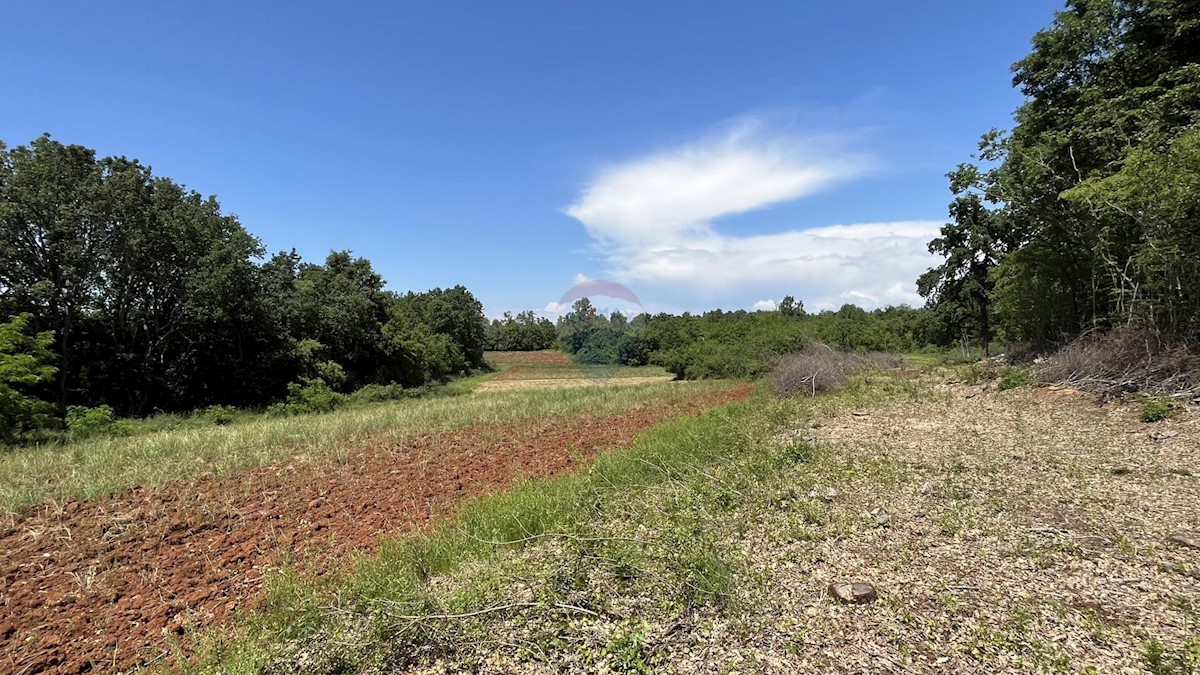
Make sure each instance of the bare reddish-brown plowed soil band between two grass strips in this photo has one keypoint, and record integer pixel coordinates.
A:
(105, 586)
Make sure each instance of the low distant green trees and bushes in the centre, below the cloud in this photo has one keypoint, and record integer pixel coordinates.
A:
(742, 344)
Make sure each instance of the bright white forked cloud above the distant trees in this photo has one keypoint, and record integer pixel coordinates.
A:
(652, 220)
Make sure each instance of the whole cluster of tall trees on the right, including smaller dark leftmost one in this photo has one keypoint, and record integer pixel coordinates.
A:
(1087, 216)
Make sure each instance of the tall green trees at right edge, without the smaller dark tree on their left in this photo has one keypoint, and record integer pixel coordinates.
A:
(1109, 85)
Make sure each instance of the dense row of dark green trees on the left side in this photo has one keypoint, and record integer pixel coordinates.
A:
(123, 289)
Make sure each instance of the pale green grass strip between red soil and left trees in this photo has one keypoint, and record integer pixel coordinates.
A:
(92, 469)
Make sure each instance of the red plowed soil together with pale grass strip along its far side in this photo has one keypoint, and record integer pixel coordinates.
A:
(113, 549)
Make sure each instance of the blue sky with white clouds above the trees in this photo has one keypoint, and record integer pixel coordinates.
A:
(703, 154)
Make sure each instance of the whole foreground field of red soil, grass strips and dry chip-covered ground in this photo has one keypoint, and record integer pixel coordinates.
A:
(1023, 531)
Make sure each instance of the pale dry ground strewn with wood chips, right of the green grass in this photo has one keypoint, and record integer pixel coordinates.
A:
(1021, 531)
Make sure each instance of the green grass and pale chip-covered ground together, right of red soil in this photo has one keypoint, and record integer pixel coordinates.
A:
(1021, 531)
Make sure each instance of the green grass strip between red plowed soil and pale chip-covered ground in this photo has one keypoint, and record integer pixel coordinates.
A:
(634, 529)
